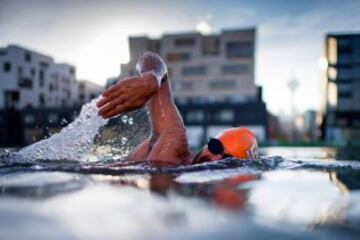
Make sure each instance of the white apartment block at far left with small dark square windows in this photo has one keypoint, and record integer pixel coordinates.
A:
(31, 79)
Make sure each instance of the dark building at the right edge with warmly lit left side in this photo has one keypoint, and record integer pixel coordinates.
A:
(341, 88)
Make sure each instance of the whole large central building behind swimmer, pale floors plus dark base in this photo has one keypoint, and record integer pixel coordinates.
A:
(212, 78)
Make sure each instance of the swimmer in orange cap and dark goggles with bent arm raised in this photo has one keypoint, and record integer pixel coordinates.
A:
(167, 145)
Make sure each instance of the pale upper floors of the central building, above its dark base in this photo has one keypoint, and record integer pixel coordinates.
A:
(204, 68)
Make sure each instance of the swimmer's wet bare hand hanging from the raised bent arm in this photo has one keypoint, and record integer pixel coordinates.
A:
(127, 95)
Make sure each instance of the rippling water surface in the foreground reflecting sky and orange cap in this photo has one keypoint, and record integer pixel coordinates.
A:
(304, 194)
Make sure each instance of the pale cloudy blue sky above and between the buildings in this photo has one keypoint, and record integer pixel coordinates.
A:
(93, 35)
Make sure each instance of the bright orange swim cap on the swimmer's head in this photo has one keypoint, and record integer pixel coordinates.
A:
(239, 142)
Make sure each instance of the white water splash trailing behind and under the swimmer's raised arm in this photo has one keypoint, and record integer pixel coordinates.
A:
(89, 138)
